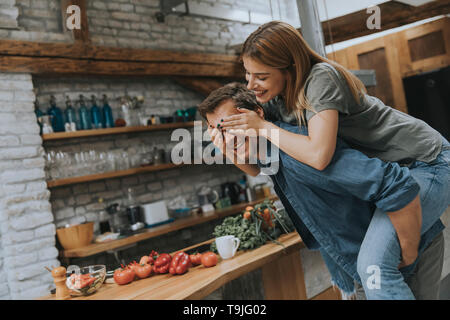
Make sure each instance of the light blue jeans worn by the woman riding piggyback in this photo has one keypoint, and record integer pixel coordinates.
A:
(380, 252)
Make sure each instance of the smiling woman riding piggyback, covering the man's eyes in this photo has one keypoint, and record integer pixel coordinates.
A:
(297, 84)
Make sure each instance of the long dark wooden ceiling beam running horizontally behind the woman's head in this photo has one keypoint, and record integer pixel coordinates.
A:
(79, 58)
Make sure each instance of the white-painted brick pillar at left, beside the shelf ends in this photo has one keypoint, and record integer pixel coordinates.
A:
(26, 217)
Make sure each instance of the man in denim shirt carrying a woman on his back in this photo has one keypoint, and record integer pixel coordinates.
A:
(332, 209)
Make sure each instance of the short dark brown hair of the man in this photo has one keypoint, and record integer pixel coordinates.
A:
(238, 92)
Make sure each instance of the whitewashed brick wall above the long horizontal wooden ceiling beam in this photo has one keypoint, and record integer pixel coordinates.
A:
(133, 24)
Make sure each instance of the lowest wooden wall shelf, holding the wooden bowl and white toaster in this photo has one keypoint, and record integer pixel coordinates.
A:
(157, 231)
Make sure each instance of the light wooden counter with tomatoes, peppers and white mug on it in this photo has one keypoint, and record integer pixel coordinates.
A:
(282, 274)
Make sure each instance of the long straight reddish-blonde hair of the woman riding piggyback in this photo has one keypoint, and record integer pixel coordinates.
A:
(279, 45)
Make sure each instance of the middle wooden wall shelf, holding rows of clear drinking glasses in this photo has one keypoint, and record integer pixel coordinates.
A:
(110, 175)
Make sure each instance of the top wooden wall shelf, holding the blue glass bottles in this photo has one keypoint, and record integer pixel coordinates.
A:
(118, 130)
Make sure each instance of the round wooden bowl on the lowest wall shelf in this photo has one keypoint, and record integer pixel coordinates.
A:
(77, 236)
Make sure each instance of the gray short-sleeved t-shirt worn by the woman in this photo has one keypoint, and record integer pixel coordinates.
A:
(369, 126)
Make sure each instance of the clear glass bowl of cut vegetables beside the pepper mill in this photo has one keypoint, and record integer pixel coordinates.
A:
(87, 280)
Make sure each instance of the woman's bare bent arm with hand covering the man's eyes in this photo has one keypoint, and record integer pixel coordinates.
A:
(316, 149)
